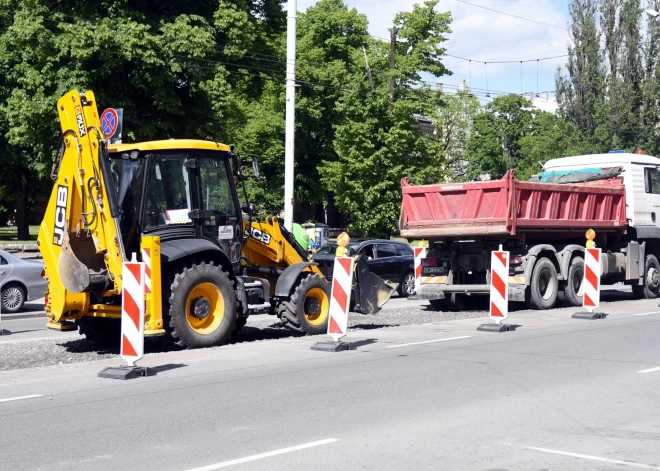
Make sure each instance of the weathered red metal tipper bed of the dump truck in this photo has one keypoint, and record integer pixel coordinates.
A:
(510, 207)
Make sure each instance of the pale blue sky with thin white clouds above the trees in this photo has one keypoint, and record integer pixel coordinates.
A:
(486, 36)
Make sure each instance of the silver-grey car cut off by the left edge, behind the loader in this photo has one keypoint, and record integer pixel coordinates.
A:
(20, 281)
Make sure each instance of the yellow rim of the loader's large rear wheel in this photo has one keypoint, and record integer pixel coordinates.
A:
(205, 308)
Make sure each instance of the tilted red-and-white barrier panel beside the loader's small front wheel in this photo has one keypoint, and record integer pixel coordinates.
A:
(340, 298)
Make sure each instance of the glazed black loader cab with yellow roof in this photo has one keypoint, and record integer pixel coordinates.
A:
(178, 190)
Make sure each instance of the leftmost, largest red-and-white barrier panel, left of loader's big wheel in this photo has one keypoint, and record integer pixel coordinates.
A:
(132, 311)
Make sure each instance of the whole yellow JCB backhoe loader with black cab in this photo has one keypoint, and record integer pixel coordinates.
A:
(174, 202)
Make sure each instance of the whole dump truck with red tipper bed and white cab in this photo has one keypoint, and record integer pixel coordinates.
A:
(543, 226)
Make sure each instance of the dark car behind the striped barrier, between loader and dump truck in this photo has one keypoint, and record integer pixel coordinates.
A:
(392, 261)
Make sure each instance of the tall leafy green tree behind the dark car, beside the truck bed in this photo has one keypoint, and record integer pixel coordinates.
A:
(378, 139)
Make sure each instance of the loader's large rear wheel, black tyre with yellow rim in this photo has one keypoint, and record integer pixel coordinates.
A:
(202, 306)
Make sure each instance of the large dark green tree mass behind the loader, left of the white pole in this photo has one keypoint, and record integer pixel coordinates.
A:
(178, 69)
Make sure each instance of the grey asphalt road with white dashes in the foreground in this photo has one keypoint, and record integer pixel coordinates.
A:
(558, 393)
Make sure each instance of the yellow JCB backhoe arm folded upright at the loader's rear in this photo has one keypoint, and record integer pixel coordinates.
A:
(79, 237)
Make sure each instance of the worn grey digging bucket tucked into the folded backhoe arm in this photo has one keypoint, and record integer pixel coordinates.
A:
(80, 268)
